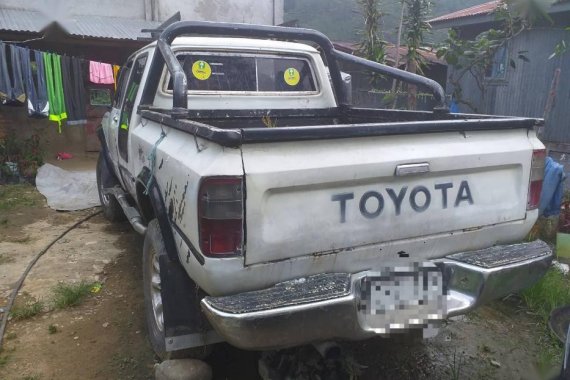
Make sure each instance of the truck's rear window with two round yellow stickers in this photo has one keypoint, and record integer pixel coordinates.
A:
(207, 72)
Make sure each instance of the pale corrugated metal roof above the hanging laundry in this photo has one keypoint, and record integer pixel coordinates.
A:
(82, 26)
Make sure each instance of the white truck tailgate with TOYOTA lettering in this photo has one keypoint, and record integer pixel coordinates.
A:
(316, 197)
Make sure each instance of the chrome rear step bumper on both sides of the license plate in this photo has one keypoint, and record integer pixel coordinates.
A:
(326, 306)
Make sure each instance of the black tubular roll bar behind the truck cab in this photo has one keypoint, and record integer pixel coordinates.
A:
(180, 82)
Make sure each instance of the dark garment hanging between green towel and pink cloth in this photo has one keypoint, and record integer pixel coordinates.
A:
(74, 90)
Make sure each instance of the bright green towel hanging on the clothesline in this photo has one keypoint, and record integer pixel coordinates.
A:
(52, 63)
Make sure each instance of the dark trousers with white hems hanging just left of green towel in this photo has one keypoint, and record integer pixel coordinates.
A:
(35, 85)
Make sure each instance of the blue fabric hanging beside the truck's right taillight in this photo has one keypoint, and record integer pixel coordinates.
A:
(552, 188)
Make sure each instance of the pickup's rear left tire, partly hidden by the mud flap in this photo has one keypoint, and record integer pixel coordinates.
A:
(153, 250)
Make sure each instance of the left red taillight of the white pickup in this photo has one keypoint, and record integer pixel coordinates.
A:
(220, 216)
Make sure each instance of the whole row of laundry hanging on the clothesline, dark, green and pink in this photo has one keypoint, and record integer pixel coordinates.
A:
(52, 85)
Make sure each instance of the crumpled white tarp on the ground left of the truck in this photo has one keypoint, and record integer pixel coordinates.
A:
(67, 191)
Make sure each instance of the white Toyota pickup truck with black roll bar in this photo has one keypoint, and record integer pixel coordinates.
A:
(275, 214)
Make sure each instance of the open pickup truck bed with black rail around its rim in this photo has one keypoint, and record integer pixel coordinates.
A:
(234, 128)
